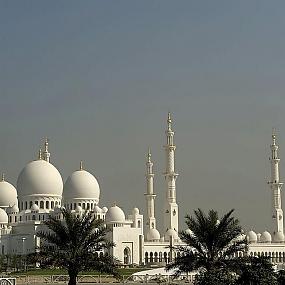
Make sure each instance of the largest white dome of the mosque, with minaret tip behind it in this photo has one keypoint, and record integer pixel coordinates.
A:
(39, 177)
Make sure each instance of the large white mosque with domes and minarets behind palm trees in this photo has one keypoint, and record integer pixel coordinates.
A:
(40, 192)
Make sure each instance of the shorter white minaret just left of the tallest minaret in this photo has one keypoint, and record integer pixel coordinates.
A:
(149, 195)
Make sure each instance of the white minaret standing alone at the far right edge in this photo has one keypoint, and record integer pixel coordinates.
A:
(276, 185)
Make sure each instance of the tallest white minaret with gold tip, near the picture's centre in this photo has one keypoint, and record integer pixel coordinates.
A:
(170, 206)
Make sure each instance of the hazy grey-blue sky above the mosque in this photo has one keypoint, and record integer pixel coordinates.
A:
(99, 77)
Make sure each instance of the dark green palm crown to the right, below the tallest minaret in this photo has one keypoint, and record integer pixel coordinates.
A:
(211, 244)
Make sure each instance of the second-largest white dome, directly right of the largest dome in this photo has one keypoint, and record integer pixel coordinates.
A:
(81, 184)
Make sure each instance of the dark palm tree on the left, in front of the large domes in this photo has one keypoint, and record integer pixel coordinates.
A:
(74, 243)
